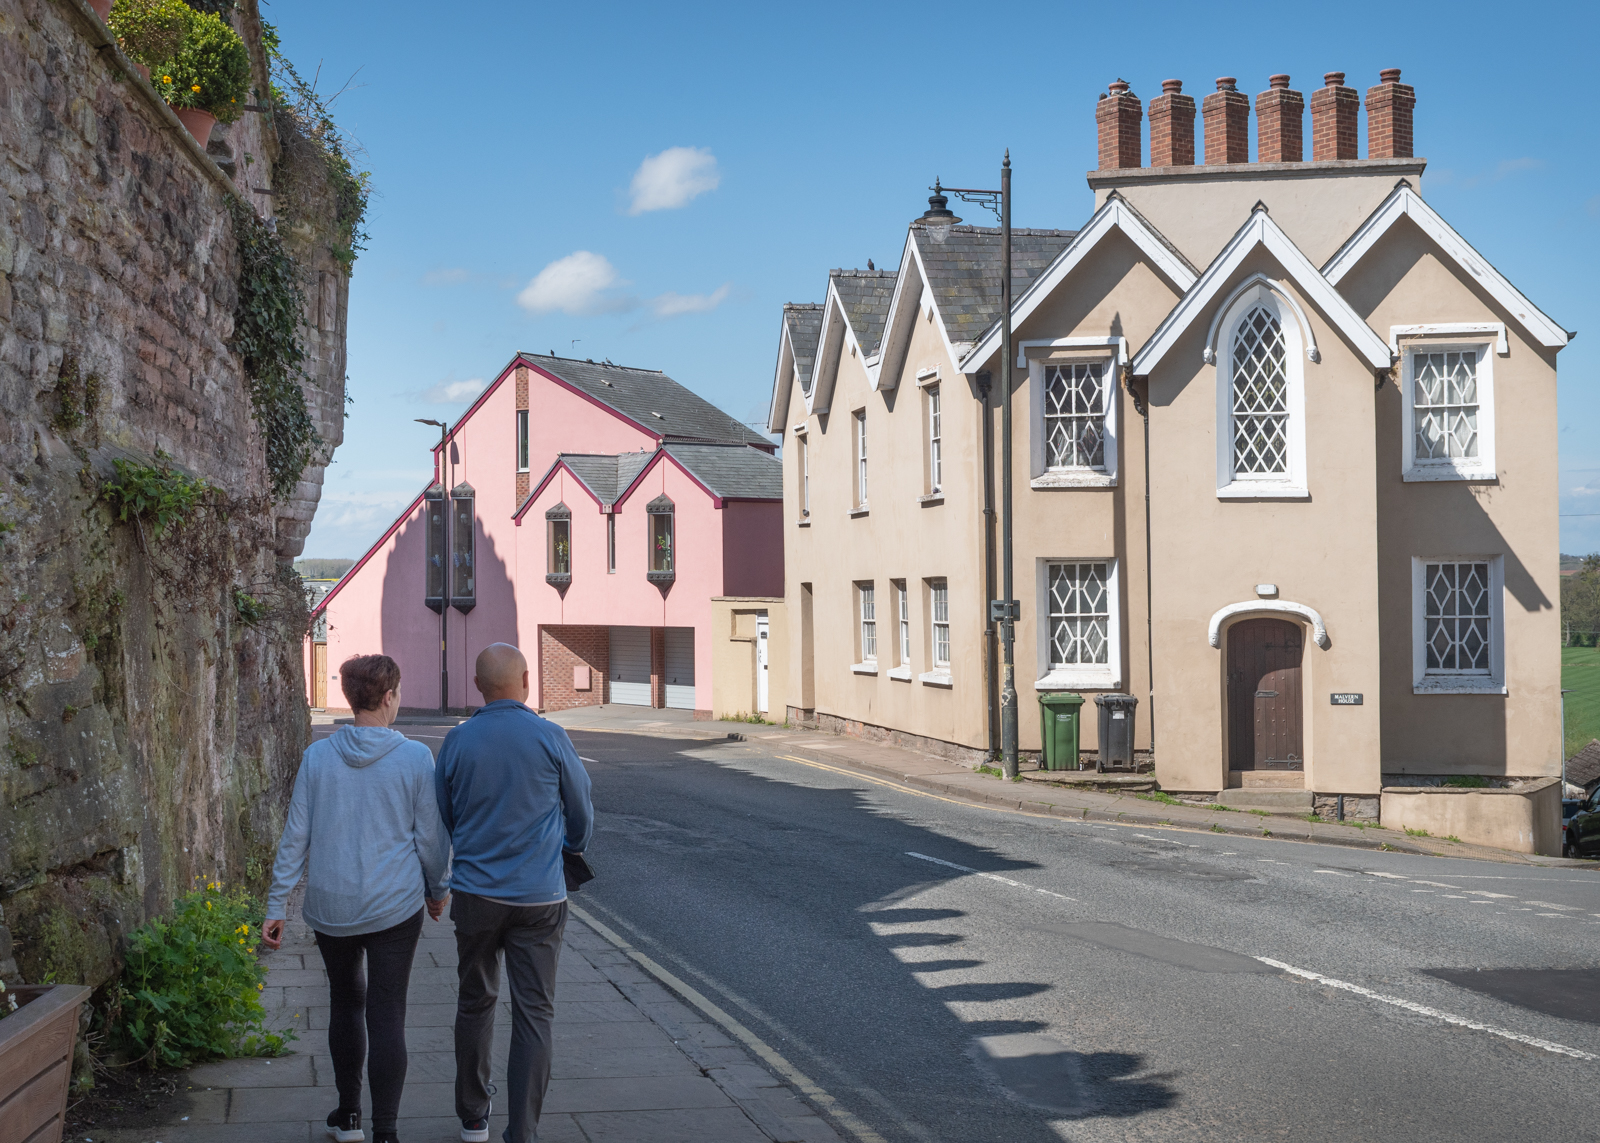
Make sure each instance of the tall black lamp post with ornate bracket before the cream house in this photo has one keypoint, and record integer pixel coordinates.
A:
(938, 219)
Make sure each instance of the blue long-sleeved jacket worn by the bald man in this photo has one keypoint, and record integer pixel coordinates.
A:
(513, 795)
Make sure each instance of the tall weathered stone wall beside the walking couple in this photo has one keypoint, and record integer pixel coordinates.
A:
(148, 734)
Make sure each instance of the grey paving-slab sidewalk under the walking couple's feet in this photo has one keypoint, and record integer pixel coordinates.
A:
(633, 1062)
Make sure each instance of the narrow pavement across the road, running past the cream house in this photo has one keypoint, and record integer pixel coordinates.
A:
(1033, 795)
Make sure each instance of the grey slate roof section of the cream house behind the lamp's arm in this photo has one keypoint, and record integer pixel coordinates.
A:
(964, 271)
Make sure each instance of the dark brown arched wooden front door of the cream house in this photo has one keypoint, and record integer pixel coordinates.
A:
(1265, 696)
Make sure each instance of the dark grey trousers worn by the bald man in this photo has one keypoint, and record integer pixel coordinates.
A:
(530, 937)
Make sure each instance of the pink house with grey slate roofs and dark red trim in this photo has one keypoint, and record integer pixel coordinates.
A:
(586, 513)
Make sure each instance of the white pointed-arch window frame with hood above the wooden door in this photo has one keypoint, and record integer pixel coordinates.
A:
(1244, 486)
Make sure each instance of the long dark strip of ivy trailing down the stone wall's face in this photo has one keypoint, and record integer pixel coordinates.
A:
(266, 337)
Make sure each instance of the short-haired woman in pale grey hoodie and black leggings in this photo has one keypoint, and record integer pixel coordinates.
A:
(364, 828)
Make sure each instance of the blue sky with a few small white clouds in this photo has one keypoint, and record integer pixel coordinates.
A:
(516, 211)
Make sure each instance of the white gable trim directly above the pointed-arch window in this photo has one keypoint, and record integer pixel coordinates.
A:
(1262, 231)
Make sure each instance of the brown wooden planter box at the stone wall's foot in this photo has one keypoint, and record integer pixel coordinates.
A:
(36, 1062)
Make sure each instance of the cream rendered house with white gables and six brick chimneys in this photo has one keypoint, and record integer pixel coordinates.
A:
(1284, 465)
